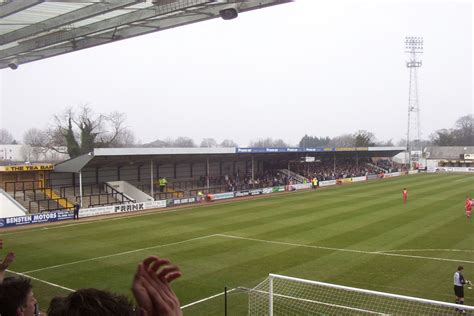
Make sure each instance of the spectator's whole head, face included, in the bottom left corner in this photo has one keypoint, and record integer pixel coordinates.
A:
(16, 297)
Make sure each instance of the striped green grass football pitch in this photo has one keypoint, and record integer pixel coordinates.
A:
(337, 234)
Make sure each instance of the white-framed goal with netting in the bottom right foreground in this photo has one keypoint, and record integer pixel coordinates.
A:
(283, 295)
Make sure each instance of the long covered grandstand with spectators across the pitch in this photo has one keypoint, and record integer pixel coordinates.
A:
(114, 176)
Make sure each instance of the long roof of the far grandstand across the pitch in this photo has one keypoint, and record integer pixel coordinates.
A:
(122, 156)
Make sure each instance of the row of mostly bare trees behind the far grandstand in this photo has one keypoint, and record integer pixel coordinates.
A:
(78, 131)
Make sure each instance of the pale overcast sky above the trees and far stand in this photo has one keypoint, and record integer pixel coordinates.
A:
(322, 68)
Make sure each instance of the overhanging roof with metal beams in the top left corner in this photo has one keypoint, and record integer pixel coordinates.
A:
(36, 29)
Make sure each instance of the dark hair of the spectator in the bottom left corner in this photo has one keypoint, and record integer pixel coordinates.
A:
(13, 294)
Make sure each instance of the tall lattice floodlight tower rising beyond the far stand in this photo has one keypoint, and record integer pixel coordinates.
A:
(414, 49)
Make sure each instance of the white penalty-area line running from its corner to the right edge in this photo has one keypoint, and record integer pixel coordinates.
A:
(344, 250)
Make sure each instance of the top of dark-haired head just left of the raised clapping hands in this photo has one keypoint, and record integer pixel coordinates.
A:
(91, 302)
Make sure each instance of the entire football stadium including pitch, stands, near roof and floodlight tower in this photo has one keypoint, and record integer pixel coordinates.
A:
(361, 229)
